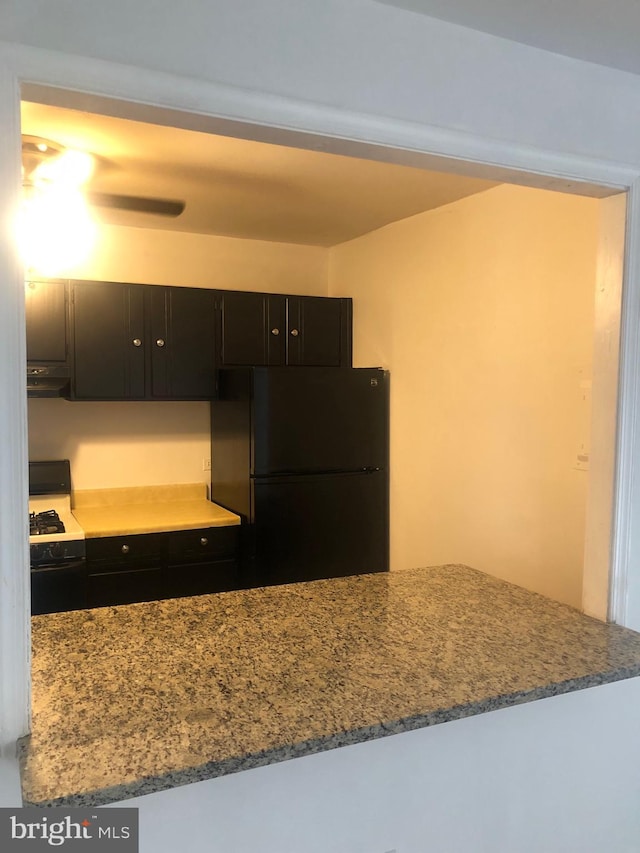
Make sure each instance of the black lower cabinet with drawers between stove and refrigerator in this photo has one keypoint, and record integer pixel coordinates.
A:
(155, 566)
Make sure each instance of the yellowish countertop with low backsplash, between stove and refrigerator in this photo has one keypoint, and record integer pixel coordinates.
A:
(147, 509)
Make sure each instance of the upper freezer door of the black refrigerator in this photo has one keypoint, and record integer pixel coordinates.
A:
(319, 419)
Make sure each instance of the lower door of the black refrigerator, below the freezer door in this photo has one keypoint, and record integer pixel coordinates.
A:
(320, 526)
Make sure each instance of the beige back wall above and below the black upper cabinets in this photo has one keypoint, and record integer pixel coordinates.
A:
(128, 444)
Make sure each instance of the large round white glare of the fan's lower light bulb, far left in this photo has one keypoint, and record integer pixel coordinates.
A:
(54, 230)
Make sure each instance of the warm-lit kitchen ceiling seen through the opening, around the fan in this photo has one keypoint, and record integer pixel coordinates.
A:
(240, 188)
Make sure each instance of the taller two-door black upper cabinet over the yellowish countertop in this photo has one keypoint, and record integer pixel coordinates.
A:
(142, 342)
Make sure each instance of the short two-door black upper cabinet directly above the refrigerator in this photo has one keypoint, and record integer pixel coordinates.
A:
(271, 329)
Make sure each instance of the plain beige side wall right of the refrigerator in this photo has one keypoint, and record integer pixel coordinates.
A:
(483, 312)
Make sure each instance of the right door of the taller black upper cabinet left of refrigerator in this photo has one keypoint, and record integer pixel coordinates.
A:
(182, 343)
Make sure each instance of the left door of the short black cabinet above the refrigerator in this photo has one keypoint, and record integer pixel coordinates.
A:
(253, 329)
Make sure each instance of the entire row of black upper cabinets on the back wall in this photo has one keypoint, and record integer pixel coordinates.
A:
(149, 342)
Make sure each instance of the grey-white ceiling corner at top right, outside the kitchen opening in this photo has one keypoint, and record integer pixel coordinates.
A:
(603, 31)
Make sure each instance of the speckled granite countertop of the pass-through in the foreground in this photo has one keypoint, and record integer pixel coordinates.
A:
(165, 693)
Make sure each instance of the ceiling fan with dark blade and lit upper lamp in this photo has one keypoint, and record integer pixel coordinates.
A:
(48, 162)
